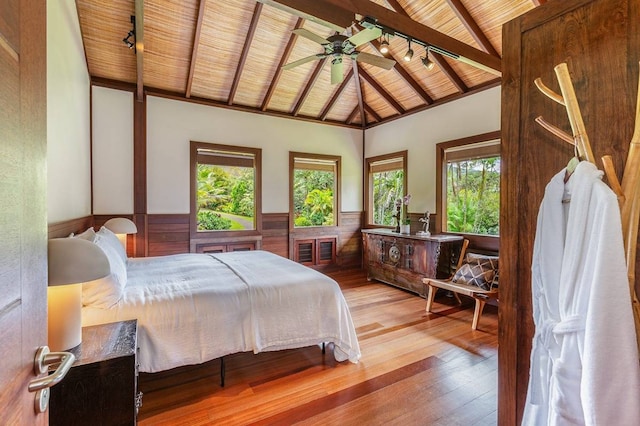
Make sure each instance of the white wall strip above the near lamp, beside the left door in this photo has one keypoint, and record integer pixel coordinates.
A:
(68, 124)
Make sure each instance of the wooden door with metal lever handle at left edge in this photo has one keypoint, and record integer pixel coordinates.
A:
(23, 229)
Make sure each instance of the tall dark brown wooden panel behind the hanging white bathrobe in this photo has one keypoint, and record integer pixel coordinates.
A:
(600, 42)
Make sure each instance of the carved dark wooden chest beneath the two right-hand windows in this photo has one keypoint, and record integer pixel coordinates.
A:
(403, 260)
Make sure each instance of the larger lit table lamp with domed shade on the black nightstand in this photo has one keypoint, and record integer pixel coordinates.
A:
(72, 261)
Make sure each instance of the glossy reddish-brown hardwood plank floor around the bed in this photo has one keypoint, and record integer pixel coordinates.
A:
(416, 369)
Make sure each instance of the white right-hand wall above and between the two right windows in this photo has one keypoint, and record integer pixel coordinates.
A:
(419, 133)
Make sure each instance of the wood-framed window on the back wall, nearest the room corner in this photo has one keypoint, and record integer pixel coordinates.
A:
(314, 190)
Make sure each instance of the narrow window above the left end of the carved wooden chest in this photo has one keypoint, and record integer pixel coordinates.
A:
(385, 183)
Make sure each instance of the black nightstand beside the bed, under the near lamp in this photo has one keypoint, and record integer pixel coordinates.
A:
(102, 385)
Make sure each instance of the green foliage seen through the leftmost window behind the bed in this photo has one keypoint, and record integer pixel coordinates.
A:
(225, 197)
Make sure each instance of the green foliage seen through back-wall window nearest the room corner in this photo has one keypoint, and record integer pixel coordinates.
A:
(313, 197)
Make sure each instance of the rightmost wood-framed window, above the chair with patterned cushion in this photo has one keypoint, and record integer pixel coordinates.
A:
(469, 184)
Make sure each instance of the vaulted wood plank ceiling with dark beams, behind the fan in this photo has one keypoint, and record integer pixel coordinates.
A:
(230, 53)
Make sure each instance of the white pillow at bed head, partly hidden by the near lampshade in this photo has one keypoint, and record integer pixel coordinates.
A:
(106, 292)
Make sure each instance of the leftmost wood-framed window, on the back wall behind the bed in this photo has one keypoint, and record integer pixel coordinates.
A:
(225, 188)
